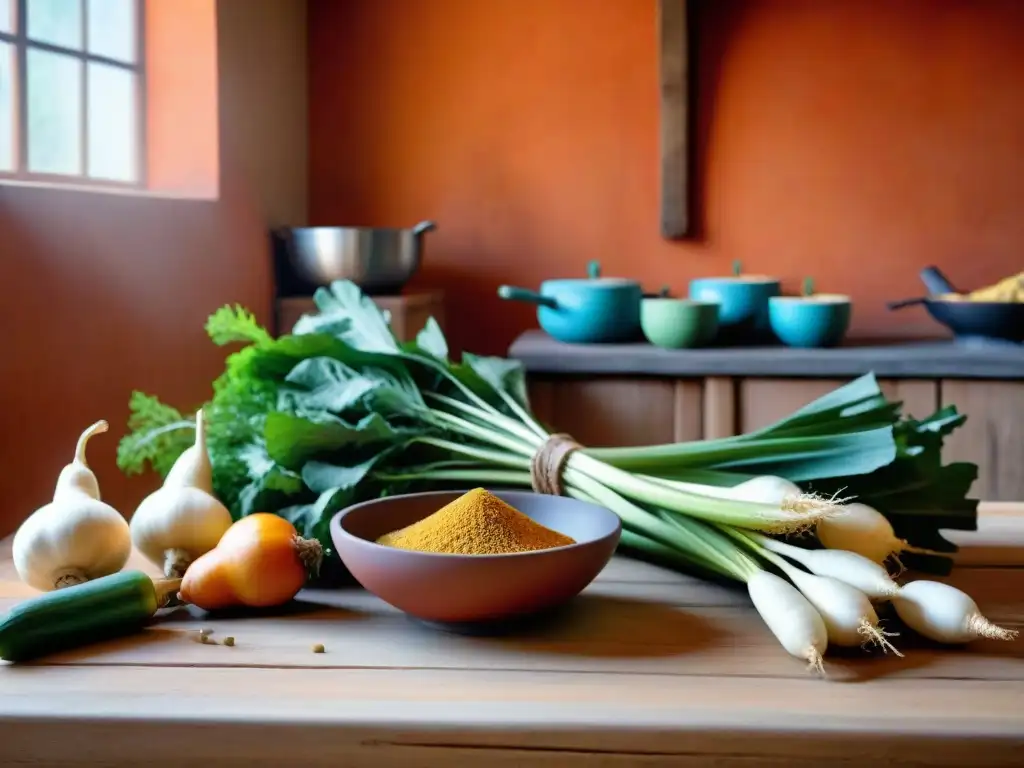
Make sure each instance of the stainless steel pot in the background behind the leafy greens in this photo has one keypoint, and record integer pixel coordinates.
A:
(378, 261)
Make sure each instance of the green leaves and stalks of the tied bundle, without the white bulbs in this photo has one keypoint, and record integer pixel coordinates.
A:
(340, 411)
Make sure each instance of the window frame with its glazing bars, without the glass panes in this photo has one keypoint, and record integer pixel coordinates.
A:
(22, 44)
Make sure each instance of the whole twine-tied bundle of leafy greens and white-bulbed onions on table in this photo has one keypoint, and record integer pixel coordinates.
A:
(340, 411)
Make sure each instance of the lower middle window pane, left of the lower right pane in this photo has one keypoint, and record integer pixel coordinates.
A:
(55, 113)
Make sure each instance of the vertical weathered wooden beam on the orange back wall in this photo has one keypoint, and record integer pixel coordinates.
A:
(674, 57)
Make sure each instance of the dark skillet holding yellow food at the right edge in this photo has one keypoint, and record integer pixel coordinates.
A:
(990, 320)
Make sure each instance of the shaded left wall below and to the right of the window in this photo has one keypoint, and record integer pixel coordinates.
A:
(106, 293)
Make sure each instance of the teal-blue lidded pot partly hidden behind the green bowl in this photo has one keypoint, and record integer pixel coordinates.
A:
(743, 304)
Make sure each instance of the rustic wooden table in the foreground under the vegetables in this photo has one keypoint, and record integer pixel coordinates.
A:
(647, 668)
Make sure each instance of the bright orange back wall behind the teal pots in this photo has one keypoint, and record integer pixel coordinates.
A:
(851, 141)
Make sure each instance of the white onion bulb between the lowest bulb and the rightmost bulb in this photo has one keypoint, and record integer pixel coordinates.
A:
(849, 617)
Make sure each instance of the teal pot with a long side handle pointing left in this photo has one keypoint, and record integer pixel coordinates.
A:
(591, 311)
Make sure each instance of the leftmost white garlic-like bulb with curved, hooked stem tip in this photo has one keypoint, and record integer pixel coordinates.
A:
(75, 538)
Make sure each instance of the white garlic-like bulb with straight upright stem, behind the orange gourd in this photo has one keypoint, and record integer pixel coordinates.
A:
(183, 520)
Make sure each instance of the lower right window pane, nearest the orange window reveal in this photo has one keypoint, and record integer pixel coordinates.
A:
(112, 132)
